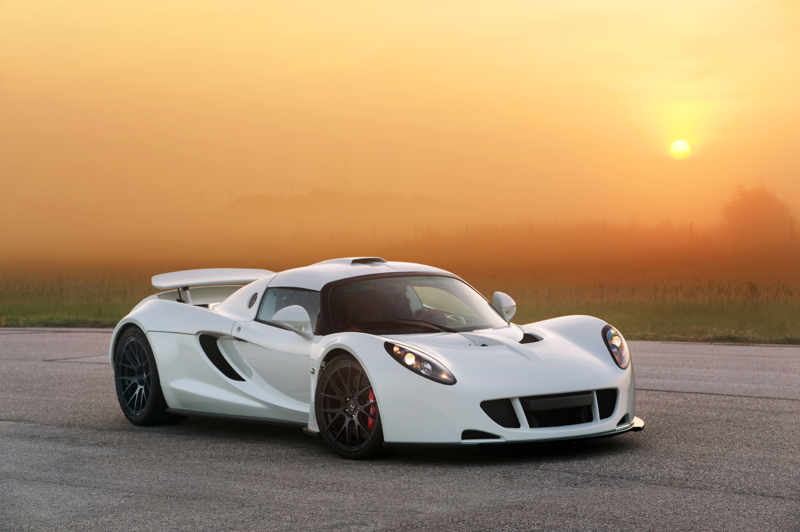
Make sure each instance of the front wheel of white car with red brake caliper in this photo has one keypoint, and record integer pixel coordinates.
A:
(347, 412)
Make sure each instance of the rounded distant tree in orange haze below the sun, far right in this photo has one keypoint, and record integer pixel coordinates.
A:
(756, 217)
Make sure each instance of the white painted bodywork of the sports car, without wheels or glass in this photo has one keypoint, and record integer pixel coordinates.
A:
(279, 367)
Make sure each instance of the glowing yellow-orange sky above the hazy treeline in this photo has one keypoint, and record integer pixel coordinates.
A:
(541, 110)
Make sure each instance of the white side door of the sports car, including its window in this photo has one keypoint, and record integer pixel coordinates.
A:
(280, 358)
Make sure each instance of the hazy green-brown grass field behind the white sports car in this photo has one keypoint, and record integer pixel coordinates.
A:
(644, 306)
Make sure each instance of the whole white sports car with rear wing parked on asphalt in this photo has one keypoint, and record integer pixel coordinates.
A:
(368, 353)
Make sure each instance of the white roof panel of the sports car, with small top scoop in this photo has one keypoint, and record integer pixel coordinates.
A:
(315, 276)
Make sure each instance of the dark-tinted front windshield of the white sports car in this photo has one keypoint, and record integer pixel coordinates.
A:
(405, 305)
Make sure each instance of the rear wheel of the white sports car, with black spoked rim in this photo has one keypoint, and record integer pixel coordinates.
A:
(138, 386)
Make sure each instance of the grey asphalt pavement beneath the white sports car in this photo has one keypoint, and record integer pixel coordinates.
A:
(720, 451)
